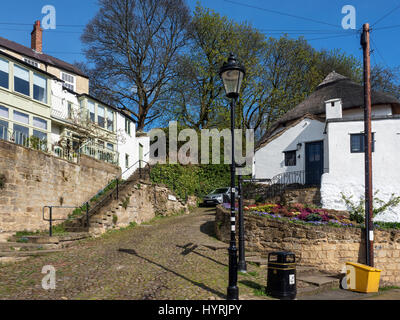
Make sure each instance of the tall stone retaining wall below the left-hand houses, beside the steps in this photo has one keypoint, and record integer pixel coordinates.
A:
(33, 179)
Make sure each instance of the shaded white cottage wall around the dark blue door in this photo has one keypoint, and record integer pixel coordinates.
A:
(269, 161)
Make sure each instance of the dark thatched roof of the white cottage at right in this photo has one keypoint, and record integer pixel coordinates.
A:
(334, 86)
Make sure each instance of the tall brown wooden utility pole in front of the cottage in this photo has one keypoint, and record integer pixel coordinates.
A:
(369, 227)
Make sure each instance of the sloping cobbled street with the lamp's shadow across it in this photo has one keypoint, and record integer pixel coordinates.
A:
(174, 258)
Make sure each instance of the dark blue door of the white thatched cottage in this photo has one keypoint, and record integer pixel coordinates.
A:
(314, 162)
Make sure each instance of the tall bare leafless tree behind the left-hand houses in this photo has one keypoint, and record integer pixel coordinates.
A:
(133, 45)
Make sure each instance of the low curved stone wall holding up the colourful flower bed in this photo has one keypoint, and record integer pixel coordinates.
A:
(325, 247)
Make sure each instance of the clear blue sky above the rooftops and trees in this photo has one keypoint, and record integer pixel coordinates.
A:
(17, 18)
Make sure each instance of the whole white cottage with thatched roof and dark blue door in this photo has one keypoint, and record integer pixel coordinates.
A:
(321, 142)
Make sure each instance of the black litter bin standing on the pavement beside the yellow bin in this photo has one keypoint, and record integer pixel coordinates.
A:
(281, 280)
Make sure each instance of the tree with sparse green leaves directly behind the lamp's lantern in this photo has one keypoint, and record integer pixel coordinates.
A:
(198, 97)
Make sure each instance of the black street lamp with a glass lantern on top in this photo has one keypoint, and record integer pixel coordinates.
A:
(232, 74)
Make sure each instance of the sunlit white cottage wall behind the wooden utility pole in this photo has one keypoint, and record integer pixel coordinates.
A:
(346, 169)
